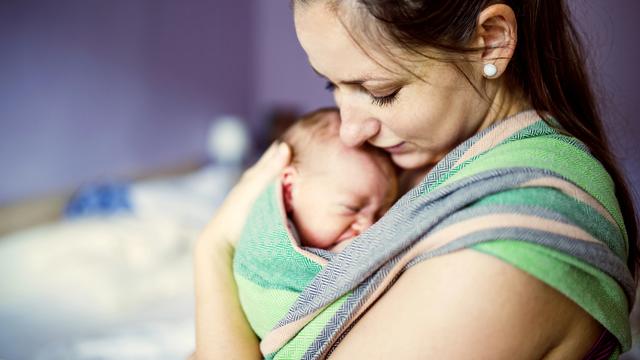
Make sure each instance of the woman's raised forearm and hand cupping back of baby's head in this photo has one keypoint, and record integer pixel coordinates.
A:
(222, 332)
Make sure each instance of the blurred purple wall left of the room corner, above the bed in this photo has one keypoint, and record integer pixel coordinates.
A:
(95, 90)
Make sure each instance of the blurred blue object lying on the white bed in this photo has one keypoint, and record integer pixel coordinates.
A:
(101, 199)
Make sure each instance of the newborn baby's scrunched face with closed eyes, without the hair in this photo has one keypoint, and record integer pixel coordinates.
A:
(344, 194)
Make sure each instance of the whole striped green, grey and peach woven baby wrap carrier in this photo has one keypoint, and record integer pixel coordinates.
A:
(519, 190)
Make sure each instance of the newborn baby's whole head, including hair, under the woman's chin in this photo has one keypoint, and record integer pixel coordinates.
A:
(333, 192)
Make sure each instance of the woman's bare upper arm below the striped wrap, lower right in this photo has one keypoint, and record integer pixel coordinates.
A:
(469, 305)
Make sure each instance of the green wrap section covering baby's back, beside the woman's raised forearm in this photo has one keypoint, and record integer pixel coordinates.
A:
(268, 266)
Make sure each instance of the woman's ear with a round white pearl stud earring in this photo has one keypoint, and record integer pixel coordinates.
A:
(497, 33)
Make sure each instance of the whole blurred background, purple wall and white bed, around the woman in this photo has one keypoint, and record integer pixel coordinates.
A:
(122, 126)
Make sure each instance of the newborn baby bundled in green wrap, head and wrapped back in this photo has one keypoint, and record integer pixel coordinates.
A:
(329, 194)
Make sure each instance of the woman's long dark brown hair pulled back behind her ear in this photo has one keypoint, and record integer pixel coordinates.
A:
(548, 67)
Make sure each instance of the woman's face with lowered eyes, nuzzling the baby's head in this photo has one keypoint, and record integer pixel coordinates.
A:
(416, 110)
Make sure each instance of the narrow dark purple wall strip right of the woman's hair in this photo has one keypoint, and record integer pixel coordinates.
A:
(611, 29)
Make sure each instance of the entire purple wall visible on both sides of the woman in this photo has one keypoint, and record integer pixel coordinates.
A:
(92, 90)
